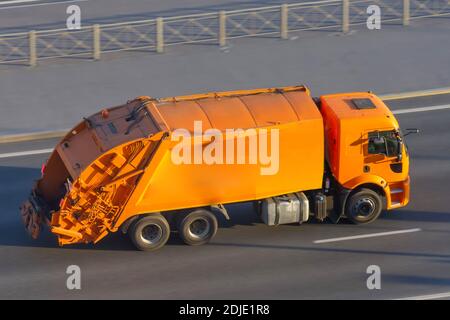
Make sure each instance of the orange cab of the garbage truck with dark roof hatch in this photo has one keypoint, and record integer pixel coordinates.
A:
(365, 150)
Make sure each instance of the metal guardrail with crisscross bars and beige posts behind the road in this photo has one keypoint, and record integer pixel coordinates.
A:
(156, 34)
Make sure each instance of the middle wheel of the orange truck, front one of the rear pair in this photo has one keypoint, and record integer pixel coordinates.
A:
(197, 227)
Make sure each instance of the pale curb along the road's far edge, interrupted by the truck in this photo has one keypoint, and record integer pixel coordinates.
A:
(60, 133)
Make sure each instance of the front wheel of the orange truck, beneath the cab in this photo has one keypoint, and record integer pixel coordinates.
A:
(364, 206)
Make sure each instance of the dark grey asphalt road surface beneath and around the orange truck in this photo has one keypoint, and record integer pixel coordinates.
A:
(248, 259)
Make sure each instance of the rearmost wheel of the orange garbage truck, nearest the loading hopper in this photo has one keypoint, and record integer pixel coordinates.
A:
(150, 233)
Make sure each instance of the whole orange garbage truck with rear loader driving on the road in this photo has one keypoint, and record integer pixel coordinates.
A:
(152, 166)
